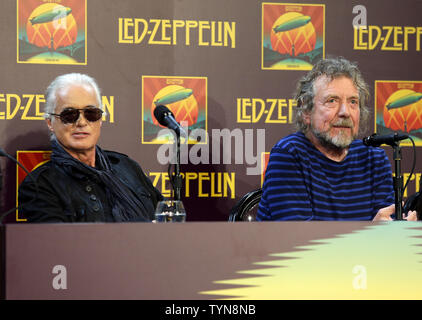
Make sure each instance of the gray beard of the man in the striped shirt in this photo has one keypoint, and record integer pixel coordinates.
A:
(337, 142)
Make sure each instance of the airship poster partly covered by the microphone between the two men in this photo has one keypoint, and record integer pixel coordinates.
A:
(186, 97)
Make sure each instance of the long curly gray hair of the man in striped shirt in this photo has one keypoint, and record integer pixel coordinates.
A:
(332, 68)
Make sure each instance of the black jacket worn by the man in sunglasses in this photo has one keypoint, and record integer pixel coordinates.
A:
(65, 198)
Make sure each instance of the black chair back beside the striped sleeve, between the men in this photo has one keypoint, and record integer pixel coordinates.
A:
(246, 208)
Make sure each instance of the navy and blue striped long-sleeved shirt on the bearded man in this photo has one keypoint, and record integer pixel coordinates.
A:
(303, 184)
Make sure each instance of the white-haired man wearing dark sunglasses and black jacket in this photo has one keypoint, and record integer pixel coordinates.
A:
(82, 182)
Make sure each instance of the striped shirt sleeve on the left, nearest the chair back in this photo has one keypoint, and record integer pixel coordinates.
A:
(285, 194)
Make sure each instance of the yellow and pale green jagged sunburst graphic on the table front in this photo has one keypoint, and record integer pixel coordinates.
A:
(383, 261)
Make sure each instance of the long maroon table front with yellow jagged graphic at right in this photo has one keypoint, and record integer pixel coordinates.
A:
(212, 260)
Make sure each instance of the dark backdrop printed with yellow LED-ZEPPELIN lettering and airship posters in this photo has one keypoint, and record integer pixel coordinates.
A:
(226, 69)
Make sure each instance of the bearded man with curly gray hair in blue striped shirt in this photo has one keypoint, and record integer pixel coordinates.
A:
(322, 172)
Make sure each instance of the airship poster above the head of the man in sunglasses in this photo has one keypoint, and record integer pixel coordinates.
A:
(52, 33)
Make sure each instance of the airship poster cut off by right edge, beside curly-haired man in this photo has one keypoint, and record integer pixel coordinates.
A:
(398, 108)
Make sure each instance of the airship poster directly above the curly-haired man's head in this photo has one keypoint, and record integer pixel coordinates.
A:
(292, 36)
